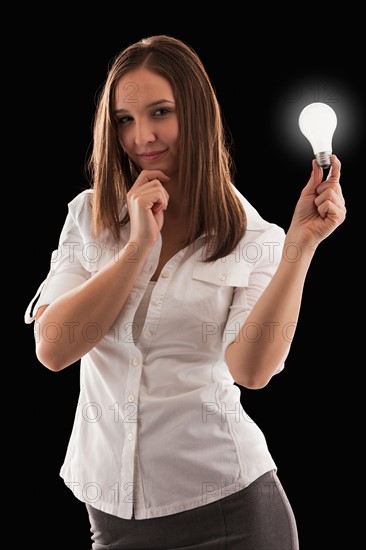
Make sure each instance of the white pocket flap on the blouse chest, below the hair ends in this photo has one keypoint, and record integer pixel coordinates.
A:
(224, 272)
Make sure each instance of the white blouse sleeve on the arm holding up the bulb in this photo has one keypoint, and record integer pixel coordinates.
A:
(262, 253)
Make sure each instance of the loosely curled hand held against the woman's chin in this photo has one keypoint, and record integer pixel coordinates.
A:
(146, 200)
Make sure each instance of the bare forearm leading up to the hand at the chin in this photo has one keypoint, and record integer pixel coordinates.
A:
(76, 321)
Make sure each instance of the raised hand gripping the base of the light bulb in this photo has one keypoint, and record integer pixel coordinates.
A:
(321, 206)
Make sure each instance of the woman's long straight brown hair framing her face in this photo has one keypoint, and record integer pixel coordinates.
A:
(206, 166)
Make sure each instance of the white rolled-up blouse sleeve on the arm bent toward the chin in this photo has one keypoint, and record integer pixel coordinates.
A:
(67, 265)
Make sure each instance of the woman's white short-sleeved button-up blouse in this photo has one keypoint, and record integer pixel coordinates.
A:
(159, 427)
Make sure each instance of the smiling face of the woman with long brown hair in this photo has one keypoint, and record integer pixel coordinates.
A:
(145, 111)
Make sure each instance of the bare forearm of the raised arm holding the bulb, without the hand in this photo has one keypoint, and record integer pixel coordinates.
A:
(254, 358)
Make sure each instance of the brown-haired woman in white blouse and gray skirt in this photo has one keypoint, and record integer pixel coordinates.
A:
(169, 286)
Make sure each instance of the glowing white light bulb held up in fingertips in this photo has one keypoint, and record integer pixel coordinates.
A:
(317, 122)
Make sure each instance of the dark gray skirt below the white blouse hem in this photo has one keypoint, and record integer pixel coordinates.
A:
(258, 517)
